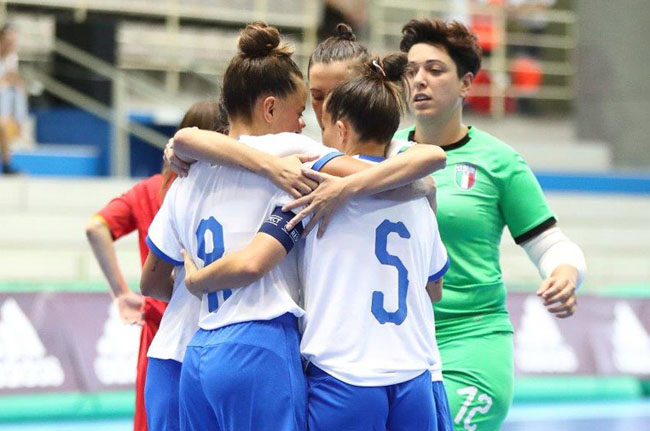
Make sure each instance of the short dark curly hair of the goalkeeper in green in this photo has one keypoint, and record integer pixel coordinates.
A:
(457, 39)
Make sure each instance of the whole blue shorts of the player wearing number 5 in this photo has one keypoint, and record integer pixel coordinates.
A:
(335, 405)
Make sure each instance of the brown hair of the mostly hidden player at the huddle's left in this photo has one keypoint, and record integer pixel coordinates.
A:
(206, 115)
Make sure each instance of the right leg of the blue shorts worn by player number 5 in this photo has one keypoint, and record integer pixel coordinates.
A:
(412, 406)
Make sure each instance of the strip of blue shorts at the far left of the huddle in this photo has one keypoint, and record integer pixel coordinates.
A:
(161, 394)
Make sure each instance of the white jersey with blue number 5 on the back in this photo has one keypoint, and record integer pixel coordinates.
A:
(369, 320)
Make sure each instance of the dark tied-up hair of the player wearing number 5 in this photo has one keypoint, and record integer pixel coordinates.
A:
(373, 102)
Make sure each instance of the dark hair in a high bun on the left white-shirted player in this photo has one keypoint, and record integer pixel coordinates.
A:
(260, 66)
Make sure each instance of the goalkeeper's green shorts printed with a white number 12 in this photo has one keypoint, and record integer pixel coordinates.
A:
(479, 375)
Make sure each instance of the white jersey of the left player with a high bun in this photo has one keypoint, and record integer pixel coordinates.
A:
(218, 209)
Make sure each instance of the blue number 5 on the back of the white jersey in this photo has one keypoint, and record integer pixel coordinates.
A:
(381, 238)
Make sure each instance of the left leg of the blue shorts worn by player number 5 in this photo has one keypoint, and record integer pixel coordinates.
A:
(336, 405)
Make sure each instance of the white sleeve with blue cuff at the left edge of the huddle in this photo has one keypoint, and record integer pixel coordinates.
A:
(163, 238)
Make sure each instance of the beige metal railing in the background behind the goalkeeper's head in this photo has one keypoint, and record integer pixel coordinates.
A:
(498, 65)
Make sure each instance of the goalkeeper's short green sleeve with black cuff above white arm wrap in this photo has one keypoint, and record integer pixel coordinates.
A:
(522, 202)
